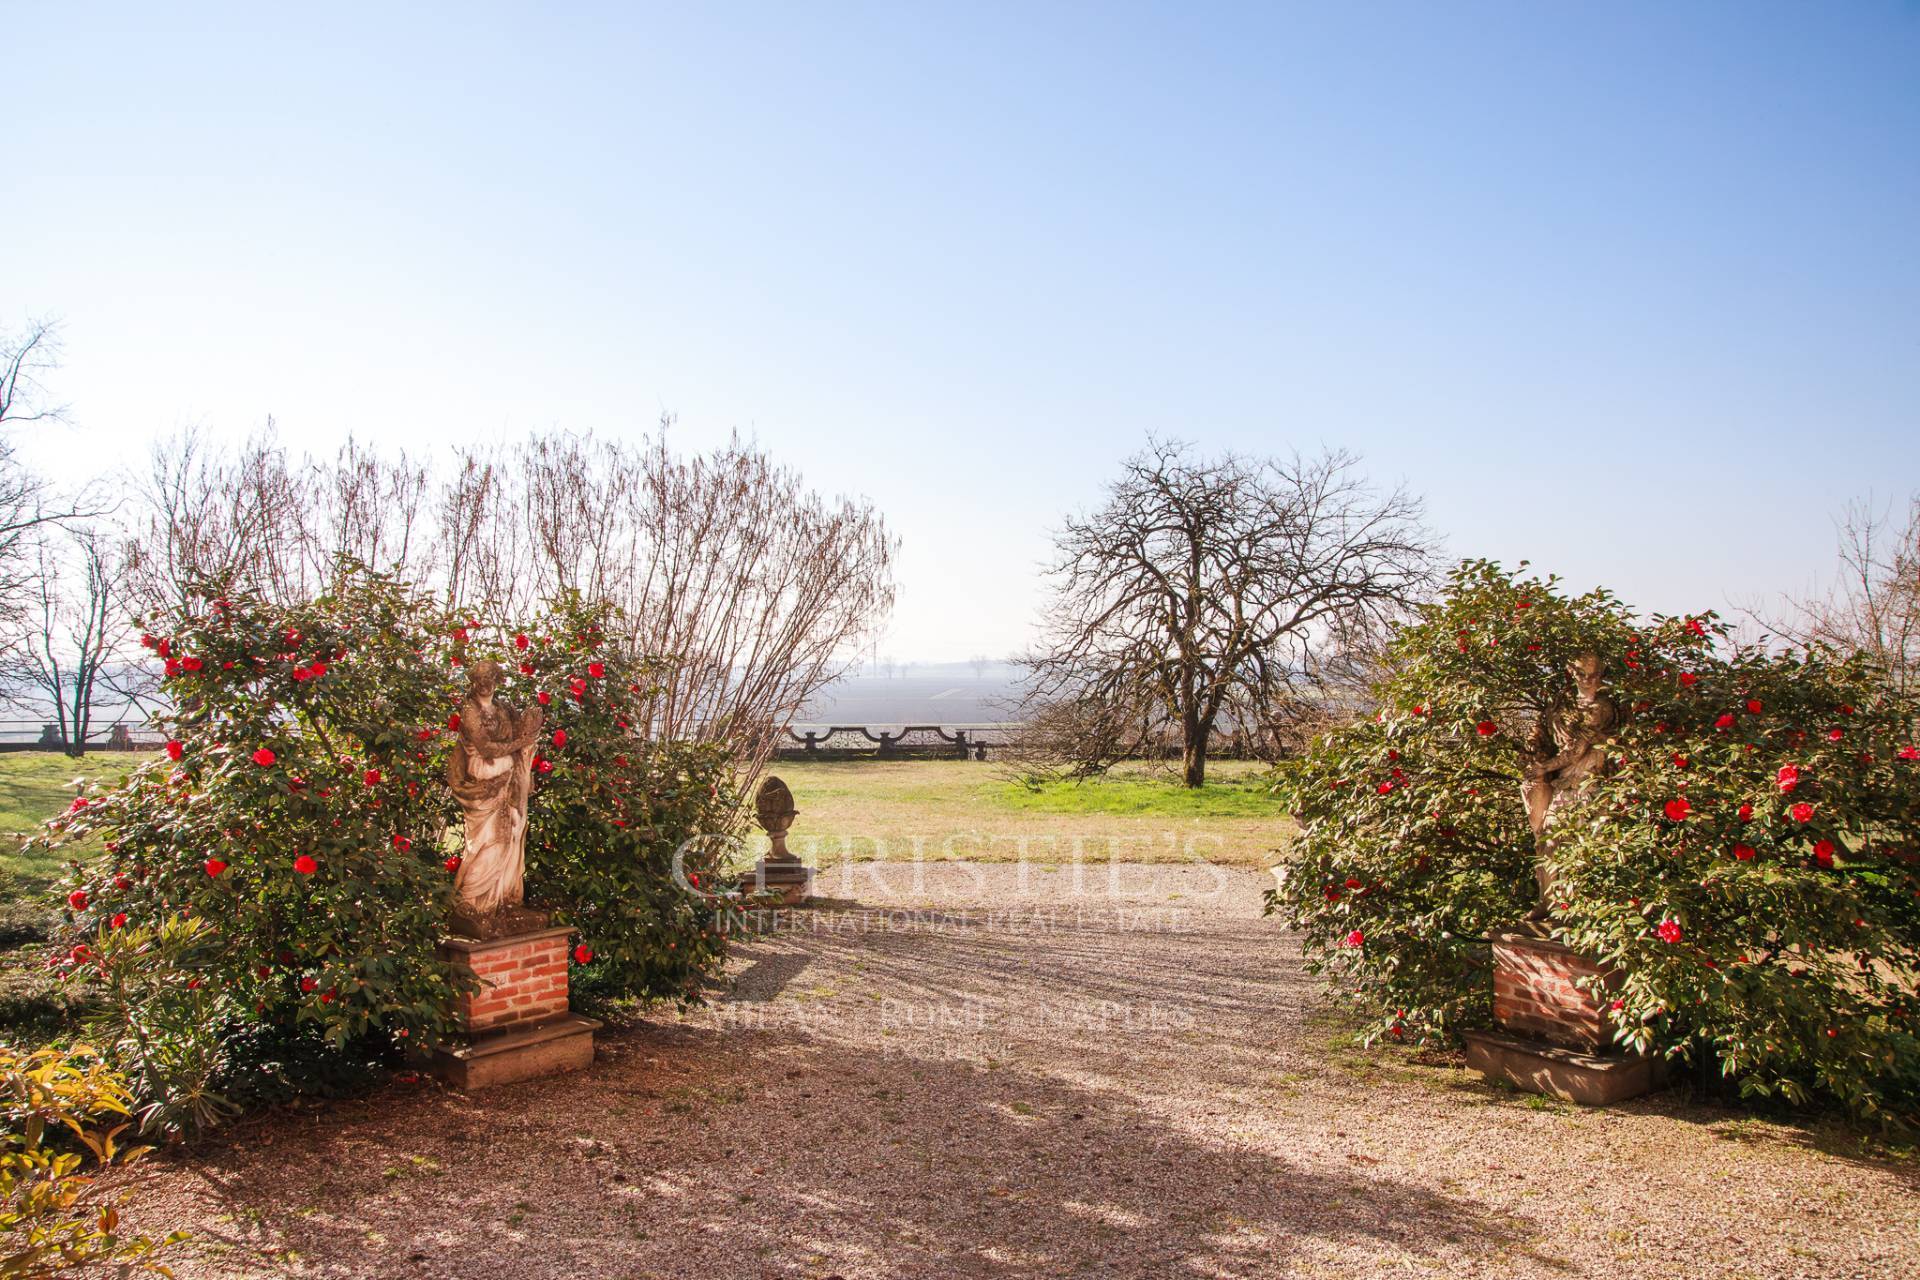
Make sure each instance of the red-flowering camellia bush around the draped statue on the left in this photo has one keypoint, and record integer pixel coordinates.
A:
(277, 882)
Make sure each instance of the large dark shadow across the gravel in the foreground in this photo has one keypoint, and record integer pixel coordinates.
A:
(700, 1152)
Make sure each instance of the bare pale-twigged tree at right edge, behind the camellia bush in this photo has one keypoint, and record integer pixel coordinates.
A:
(1873, 605)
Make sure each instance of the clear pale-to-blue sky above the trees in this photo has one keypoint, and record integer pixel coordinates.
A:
(1631, 291)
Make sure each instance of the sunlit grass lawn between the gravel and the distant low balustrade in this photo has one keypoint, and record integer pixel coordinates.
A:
(969, 811)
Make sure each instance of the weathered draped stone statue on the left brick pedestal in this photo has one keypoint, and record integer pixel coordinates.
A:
(491, 774)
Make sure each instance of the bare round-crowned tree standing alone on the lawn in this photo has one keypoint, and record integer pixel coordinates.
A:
(1220, 592)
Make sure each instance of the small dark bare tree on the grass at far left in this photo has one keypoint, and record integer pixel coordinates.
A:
(74, 657)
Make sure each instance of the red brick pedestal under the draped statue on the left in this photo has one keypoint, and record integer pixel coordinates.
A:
(517, 1024)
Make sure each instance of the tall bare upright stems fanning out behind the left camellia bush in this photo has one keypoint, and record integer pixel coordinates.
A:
(754, 590)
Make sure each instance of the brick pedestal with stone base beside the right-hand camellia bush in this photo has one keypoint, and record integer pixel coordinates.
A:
(1554, 1039)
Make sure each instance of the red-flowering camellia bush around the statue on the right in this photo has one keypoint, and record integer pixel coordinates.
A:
(1748, 857)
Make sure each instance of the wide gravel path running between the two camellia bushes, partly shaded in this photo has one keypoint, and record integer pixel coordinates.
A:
(971, 1072)
